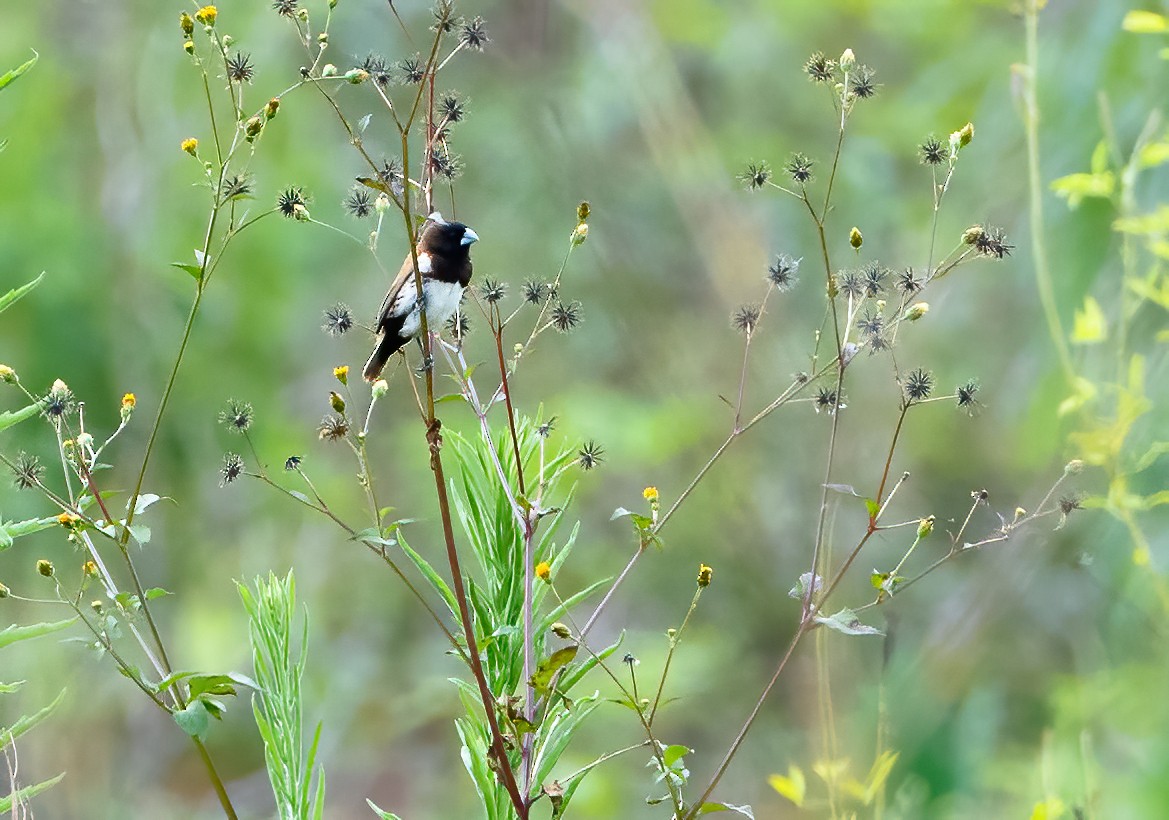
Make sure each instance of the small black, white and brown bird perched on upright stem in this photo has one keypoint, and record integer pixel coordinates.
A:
(445, 261)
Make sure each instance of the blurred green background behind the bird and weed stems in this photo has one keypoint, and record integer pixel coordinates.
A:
(1032, 671)
